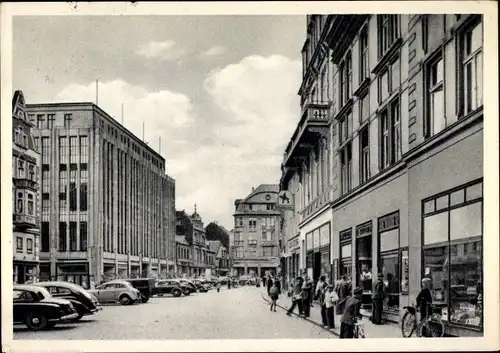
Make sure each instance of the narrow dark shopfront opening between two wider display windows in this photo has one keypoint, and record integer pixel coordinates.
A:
(364, 257)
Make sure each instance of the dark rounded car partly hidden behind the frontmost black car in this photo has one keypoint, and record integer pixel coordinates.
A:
(84, 302)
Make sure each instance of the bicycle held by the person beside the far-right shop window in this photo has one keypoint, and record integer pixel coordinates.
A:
(432, 324)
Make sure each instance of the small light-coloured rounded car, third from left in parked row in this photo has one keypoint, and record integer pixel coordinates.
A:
(117, 291)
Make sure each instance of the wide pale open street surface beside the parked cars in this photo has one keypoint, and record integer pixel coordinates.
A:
(238, 313)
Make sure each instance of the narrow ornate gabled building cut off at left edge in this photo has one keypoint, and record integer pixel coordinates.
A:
(25, 195)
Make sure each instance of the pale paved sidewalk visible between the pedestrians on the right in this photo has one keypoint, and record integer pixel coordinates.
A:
(372, 331)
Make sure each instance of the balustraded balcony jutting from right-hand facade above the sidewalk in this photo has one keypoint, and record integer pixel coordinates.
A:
(313, 127)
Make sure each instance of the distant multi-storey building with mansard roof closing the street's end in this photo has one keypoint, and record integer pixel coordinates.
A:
(256, 232)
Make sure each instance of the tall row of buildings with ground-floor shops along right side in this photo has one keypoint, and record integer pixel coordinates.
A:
(386, 163)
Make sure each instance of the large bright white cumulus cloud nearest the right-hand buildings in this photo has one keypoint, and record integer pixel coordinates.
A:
(259, 109)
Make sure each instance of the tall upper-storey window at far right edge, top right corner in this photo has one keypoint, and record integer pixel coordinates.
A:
(472, 68)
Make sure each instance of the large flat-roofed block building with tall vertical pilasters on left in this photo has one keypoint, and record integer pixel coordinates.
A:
(106, 203)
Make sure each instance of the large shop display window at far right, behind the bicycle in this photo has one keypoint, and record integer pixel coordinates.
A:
(453, 256)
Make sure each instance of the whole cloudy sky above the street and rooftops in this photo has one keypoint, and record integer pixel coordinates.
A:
(221, 91)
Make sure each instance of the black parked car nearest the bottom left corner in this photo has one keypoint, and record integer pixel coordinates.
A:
(37, 309)
